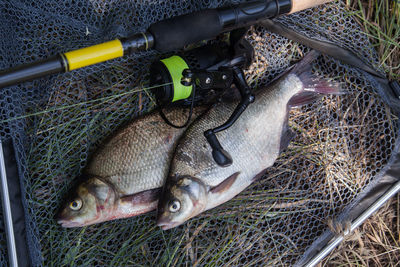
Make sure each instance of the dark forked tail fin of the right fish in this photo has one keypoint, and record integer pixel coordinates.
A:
(313, 86)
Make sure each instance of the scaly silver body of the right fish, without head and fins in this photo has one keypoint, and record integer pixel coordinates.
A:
(245, 140)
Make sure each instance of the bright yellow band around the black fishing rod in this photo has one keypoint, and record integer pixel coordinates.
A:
(94, 54)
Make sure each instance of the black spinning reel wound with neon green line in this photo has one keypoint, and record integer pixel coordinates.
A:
(201, 76)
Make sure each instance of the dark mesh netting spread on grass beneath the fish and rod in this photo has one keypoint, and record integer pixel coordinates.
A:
(342, 142)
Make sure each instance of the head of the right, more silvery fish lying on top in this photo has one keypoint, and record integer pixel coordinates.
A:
(181, 200)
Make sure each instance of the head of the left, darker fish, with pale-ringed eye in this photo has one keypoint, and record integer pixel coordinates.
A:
(91, 201)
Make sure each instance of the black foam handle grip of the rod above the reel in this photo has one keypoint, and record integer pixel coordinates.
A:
(177, 32)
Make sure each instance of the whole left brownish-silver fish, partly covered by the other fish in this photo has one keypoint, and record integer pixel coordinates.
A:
(125, 175)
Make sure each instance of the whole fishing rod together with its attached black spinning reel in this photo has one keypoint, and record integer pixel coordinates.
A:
(200, 76)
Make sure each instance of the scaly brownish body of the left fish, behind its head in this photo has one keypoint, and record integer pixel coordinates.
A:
(136, 158)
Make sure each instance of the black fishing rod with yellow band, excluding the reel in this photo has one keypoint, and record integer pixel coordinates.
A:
(164, 36)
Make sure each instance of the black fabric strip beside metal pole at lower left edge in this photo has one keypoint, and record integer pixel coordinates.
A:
(17, 209)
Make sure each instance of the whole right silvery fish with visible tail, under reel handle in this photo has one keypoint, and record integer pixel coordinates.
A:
(196, 183)
